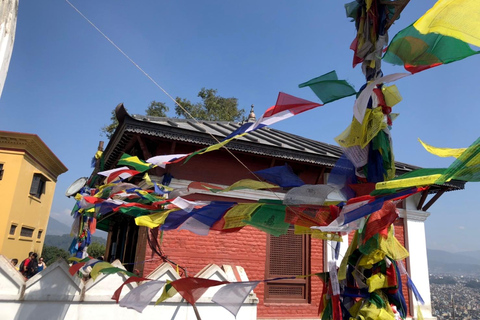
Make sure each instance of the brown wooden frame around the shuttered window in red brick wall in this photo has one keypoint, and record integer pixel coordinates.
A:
(303, 283)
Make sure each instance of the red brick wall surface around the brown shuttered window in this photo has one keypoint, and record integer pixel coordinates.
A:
(246, 248)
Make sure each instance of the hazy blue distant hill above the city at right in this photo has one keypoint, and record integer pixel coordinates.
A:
(461, 263)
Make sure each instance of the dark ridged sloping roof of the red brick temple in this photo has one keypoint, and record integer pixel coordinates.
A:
(265, 141)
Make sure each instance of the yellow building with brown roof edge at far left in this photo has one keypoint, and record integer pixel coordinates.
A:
(28, 175)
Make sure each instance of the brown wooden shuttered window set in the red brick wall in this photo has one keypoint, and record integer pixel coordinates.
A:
(288, 255)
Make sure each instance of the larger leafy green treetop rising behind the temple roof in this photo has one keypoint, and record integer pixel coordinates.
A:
(213, 107)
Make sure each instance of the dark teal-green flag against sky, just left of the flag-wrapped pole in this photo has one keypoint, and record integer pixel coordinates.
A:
(328, 88)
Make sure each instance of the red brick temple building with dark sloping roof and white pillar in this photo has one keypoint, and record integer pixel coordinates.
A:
(262, 255)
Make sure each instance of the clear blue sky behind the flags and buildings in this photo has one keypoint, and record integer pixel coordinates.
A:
(65, 78)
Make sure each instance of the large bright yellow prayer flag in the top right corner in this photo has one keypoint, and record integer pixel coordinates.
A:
(454, 18)
